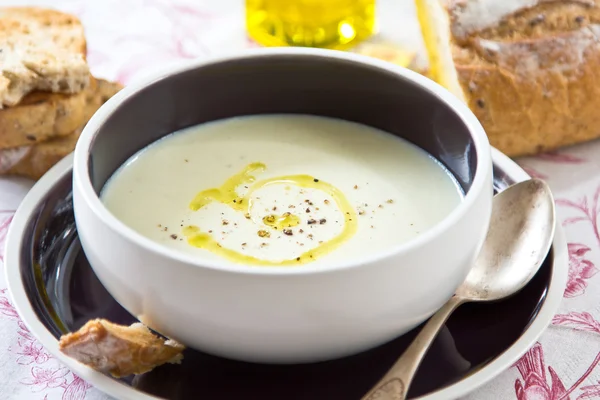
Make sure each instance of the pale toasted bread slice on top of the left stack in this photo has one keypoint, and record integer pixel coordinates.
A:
(41, 49)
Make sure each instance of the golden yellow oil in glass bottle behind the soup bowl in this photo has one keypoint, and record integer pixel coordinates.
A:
(333, 24)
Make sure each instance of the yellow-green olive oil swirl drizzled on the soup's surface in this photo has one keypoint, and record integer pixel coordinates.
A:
(227, 194)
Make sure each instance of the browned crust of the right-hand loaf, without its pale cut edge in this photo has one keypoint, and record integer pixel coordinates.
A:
(533, 79)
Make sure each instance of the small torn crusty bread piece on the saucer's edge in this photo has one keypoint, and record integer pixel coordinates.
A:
(119, 350)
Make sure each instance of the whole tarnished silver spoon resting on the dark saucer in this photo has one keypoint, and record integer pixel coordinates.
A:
(519, 238)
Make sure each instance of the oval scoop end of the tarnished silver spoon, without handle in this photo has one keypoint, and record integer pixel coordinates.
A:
(519, 238)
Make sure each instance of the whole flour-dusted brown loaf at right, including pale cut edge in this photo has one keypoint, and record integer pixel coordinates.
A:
(528, 69)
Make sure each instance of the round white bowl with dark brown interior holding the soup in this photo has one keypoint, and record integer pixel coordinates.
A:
(284, 314)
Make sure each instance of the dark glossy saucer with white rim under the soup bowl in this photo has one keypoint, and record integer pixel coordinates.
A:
(55, 291)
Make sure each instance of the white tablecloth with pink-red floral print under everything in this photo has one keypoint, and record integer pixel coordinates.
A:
(129, 38)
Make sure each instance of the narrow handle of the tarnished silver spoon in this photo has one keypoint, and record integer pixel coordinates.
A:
(394, 385)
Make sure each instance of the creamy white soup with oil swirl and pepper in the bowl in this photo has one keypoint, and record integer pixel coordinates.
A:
(281, 190)
